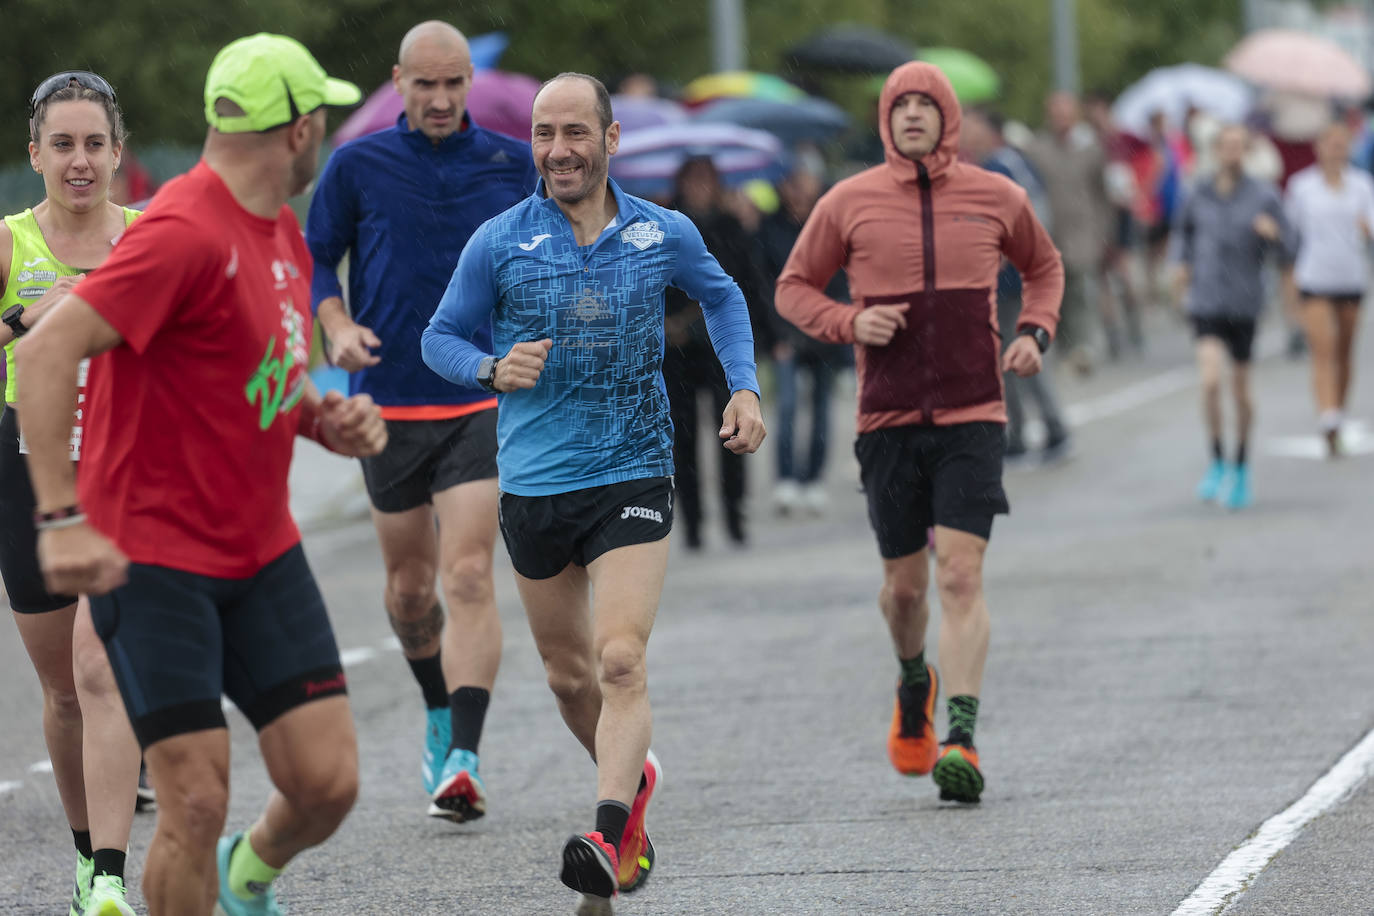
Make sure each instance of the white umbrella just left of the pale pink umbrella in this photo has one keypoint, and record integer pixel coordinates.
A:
(1177, 90)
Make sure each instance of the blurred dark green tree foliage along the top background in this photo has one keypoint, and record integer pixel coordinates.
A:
(156, 53)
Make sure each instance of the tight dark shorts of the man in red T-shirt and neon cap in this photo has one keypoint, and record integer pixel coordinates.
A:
(178, 642)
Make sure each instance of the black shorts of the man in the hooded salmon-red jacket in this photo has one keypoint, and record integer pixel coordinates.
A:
(923, 476)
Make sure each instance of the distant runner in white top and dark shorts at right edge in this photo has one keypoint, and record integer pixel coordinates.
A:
(1331, 207)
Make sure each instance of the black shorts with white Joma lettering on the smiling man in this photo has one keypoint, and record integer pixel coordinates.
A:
(546, 534)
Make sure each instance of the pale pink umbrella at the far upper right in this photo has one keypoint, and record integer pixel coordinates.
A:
(1299, 62)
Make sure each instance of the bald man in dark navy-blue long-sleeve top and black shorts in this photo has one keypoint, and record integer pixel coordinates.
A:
(402, 204)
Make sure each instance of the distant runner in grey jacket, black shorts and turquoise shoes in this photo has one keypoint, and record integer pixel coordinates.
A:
(1225, 230)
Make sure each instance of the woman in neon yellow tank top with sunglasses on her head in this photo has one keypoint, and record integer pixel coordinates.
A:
(76, 138)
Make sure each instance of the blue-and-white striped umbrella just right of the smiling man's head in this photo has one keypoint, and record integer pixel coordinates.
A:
(648, 160)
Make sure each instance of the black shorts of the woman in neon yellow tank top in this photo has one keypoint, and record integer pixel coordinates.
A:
(19, 539)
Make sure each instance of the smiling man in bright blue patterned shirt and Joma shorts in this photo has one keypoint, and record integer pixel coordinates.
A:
(572, 282)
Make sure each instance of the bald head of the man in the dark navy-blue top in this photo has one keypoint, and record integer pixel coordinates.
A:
(433, 73)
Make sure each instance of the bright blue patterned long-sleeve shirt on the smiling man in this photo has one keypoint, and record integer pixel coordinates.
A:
(600, 411)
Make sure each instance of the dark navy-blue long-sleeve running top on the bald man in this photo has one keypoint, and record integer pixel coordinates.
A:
(403, 208)
